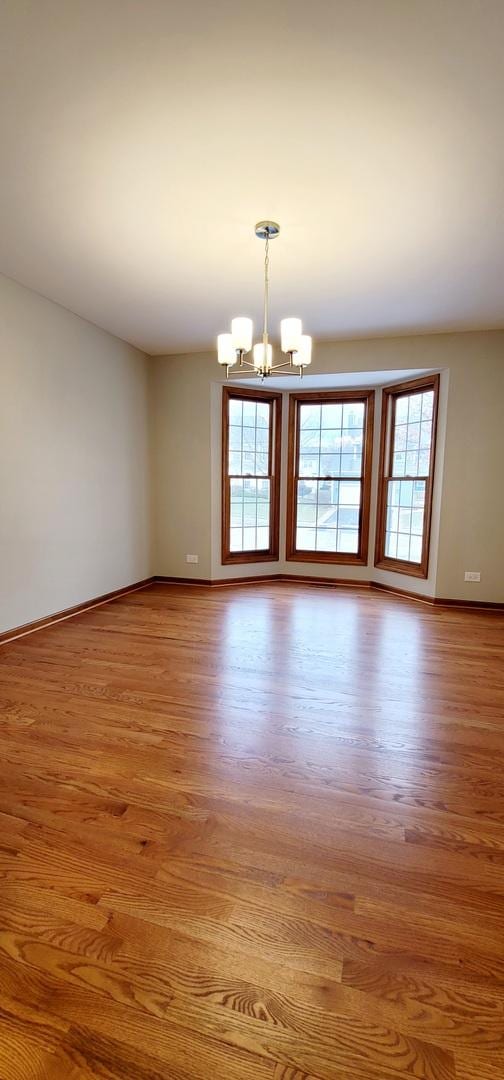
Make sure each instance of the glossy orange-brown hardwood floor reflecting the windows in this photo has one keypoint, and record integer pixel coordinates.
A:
(254, 834)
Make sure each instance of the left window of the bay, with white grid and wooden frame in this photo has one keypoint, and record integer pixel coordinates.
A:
(252, 433)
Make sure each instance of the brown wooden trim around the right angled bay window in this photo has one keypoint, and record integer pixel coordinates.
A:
(390, 396)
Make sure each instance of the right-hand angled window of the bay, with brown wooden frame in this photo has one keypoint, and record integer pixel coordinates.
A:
(408, 438)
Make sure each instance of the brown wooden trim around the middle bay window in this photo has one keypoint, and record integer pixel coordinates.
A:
(367, 398)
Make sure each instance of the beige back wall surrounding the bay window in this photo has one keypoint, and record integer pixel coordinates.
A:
(186, 449)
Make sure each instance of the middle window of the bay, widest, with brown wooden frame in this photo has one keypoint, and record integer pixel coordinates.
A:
(331, 439)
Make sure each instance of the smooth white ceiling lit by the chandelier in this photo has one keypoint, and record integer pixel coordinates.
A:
(142, 140)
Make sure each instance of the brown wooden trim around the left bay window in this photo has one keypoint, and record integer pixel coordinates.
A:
(275, 476)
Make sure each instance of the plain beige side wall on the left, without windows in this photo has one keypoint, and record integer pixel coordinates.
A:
(74, 460)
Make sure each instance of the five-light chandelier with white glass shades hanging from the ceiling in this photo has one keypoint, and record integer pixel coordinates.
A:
(233, 348)
